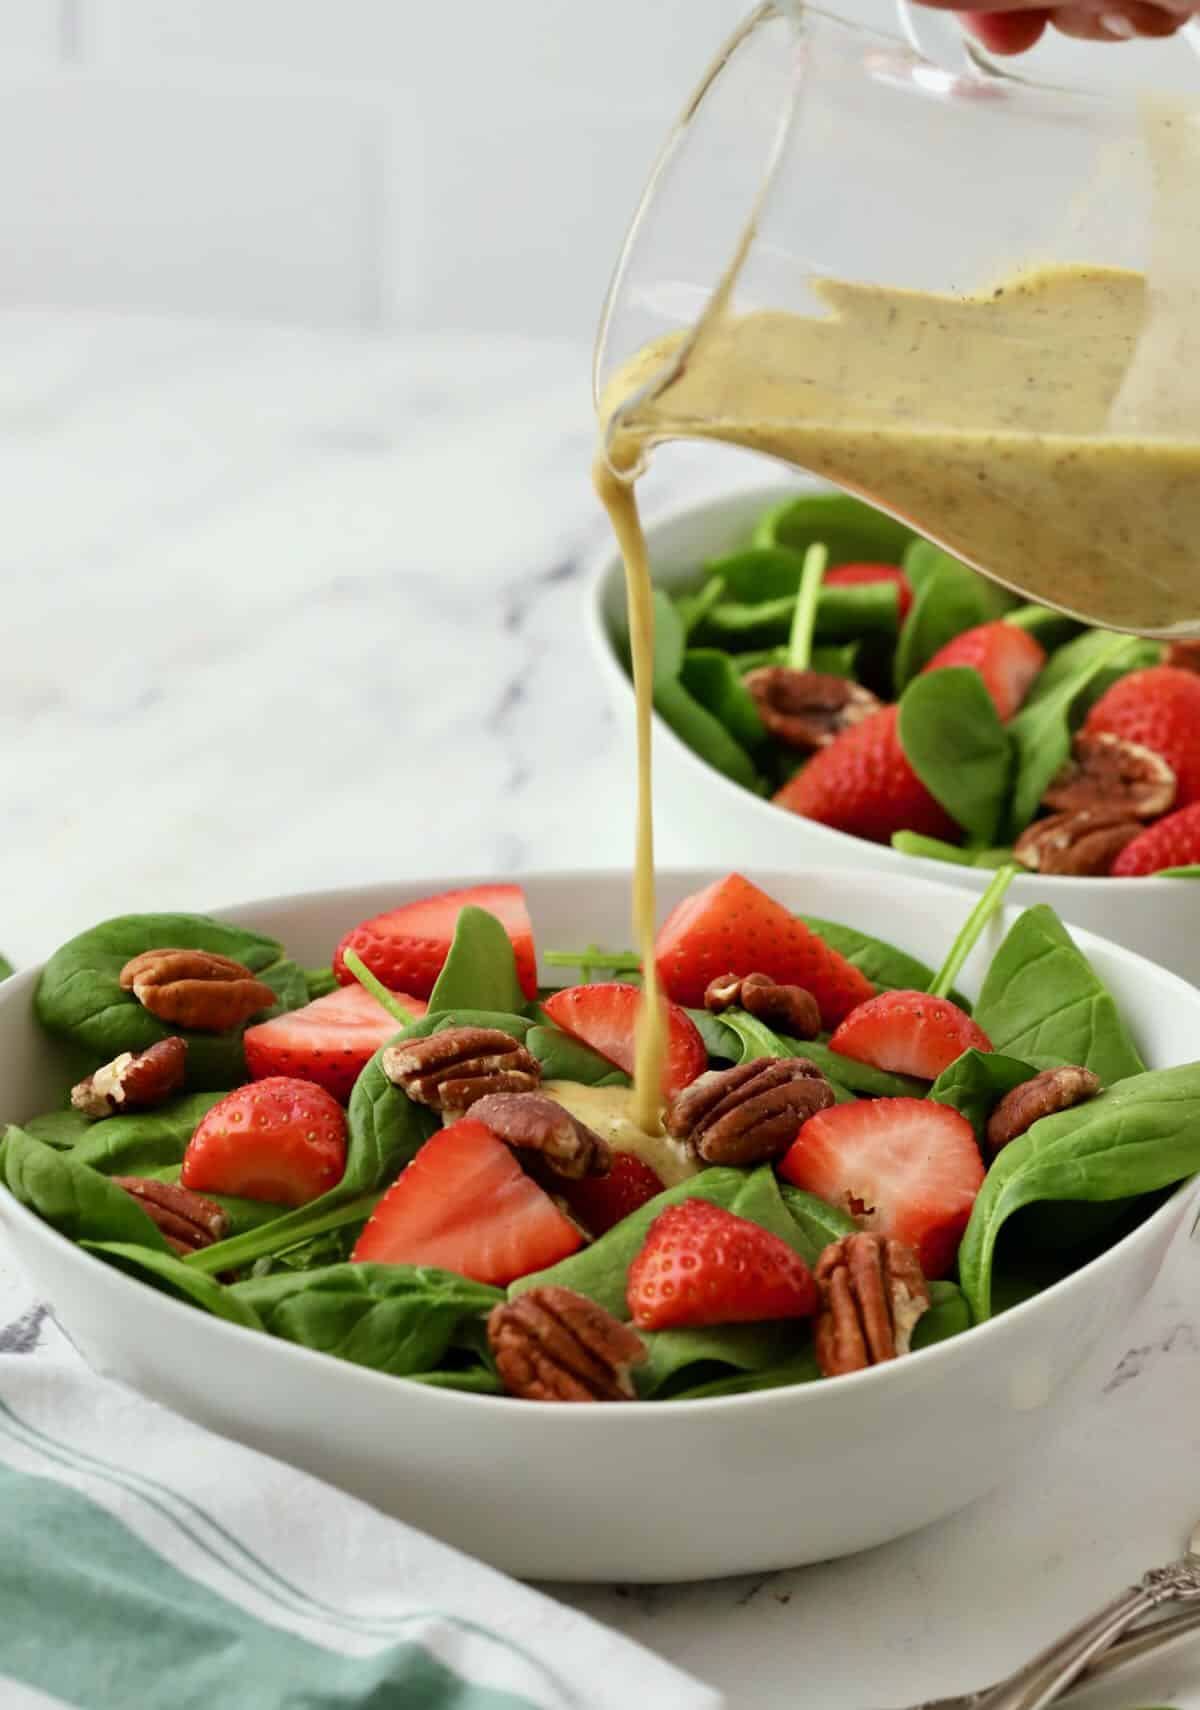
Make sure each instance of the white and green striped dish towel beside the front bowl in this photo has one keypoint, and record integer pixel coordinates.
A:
(151, 1566)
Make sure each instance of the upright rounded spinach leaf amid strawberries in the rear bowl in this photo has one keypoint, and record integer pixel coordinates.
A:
(958, 748)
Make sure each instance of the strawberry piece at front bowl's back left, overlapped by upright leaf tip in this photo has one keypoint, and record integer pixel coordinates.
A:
(408, 946)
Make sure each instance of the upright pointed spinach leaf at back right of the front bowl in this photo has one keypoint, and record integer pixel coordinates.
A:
(1044, 999)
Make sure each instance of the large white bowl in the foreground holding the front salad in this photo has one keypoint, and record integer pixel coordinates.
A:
(633, 1492)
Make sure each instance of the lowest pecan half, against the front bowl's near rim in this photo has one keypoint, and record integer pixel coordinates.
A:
(555, 1345)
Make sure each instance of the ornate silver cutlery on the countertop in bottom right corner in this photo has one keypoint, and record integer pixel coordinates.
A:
(1098, 1644)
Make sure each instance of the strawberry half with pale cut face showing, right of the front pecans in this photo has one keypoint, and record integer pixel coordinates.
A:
(898, 1165)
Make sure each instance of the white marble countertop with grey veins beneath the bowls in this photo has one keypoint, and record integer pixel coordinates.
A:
(288, 610)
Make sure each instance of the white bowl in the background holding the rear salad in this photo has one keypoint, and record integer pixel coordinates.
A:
(717, 820)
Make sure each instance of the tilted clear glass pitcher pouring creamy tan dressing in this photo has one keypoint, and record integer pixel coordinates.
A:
(962, 295)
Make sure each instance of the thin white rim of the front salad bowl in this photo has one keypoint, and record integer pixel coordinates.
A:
(815, 1396)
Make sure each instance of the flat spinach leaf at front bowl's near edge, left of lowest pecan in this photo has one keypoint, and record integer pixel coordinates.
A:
(397, 1319)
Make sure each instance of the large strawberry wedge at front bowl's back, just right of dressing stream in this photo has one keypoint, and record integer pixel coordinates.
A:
(734, 928)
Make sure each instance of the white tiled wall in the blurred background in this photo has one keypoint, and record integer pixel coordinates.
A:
(404, 163)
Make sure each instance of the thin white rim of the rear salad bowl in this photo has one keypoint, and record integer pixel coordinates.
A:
(601, 565)
